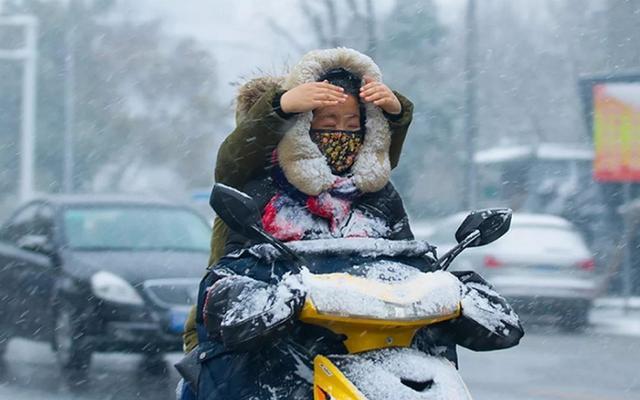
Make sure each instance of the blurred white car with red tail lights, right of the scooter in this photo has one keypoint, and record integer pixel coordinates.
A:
(542, 265)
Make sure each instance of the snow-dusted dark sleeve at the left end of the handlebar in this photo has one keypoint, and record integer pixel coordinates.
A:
(244, 313)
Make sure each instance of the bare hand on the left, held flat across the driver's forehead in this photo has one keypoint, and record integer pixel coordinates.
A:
(309, 96)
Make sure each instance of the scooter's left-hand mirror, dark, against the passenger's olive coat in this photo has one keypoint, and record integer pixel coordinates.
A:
(237, 210)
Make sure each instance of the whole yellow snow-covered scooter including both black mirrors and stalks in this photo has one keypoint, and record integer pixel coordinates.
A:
(377, 311)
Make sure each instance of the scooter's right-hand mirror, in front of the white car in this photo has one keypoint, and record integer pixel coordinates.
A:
(492, 223)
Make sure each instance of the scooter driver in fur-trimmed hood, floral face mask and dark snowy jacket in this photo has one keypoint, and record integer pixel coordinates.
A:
(329, 179)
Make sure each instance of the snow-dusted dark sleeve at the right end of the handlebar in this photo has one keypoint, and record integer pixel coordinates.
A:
(487, 322)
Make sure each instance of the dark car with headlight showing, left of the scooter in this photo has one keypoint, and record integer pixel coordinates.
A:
(100, 273)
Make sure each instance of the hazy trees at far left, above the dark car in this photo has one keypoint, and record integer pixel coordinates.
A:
(143, 98)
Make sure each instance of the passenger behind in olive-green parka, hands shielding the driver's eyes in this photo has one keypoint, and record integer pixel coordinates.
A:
(261, 123)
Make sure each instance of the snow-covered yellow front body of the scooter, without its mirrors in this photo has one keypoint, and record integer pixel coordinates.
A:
(379, 330)
